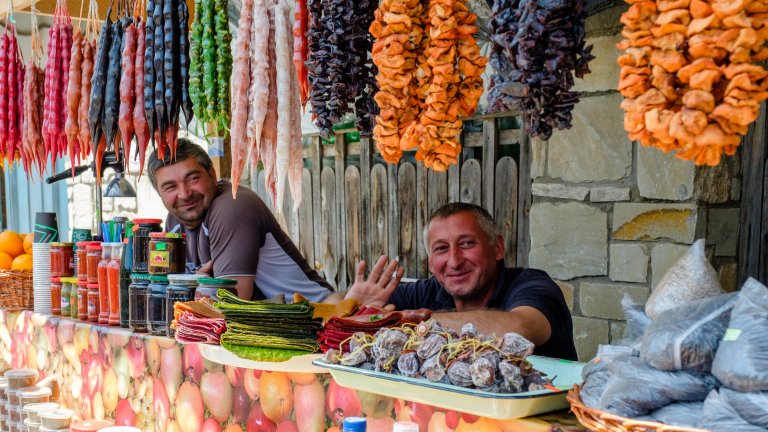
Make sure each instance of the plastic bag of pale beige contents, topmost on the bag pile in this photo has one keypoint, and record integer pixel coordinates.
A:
(691, 278)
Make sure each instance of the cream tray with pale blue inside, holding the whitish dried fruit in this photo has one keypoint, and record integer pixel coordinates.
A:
(485, 404)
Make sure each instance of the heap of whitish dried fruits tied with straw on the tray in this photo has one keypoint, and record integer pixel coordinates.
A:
(429, 351)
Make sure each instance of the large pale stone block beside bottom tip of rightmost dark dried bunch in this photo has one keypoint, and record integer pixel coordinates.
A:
(596, 148)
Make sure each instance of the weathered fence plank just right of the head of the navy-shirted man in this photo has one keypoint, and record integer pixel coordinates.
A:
(505, 202)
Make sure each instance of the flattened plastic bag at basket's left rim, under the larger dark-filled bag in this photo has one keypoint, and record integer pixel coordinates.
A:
(636, 388)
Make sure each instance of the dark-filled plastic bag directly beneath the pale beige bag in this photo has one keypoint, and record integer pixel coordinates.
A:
(687, 337)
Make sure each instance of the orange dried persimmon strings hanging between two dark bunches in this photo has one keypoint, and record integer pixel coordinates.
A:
(429, 81)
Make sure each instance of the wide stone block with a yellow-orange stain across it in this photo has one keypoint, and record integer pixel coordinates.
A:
(635, 221)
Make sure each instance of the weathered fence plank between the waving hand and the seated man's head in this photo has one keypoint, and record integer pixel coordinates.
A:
(409, 235)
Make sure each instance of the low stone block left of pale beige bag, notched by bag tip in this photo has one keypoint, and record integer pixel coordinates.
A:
(603, 300)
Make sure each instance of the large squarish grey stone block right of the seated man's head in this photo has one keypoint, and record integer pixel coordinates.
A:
(569, 240)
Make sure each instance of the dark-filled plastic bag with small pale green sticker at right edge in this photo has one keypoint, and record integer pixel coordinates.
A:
(741, 362)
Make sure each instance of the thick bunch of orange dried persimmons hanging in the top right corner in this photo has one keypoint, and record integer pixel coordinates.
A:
(688, 74)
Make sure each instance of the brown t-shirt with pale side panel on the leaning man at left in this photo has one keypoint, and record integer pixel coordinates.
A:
(242, 238)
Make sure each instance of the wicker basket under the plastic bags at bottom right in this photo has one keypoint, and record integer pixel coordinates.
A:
(601, 421)
